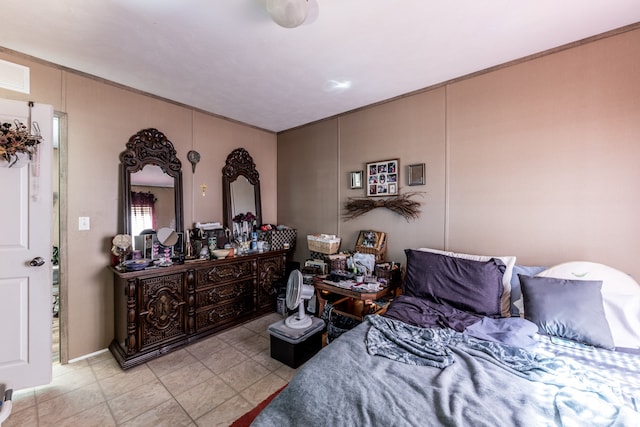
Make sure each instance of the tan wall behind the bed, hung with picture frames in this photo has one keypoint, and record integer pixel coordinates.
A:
(537, 159)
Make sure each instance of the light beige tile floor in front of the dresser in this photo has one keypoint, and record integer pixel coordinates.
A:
(209, 383)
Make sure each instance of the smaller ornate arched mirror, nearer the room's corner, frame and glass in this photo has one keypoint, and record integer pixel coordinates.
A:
(240, 187)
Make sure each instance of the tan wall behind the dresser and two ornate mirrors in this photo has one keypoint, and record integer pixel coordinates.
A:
(100, 120)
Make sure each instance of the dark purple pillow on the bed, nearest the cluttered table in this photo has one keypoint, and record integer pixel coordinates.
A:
(473, 286)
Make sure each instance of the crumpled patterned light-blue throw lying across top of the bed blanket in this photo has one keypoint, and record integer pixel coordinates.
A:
(583, 397)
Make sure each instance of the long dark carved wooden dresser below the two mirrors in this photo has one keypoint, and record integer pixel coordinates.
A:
(159, 310)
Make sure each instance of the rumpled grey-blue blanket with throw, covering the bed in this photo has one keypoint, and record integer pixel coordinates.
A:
(442, 378)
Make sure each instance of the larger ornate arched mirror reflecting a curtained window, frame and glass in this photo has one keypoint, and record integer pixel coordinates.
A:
(151, 176)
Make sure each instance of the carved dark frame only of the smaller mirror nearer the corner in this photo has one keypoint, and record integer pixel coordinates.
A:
(240, 163)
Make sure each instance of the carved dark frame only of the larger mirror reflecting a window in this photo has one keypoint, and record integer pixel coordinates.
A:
(150, 147)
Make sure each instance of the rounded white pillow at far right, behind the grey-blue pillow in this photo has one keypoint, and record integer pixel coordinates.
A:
(620, 295)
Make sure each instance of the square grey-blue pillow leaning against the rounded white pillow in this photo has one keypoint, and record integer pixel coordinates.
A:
(564, 308)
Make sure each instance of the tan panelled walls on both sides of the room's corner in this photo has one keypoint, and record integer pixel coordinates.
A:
(537, 160)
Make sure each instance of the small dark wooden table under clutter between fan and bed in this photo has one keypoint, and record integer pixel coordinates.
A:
(353, 304)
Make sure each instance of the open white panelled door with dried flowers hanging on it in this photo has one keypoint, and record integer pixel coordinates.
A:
(26, 204)
